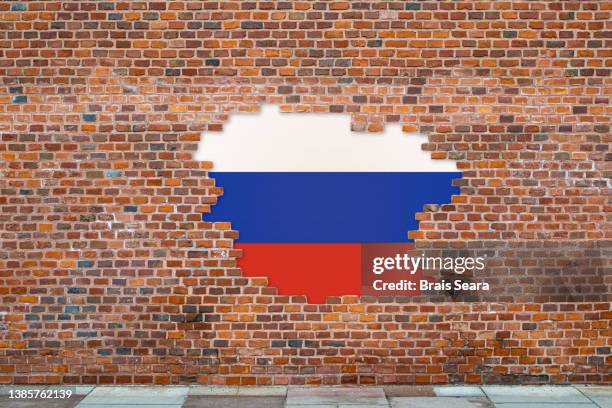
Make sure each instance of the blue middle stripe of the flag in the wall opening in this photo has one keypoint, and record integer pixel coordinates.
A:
(327, 207)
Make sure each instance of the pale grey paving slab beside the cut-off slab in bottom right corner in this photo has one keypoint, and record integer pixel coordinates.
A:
(534, 394)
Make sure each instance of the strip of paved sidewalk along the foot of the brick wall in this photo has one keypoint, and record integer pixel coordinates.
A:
(493, 396)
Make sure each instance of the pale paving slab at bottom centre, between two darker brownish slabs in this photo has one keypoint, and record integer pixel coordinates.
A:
(336, 395)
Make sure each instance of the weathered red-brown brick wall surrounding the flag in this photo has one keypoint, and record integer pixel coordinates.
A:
(108, 274)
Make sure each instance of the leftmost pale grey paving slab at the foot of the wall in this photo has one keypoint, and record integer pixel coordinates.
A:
(136, 395)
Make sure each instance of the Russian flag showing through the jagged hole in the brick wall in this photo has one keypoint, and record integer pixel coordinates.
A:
(305, 193)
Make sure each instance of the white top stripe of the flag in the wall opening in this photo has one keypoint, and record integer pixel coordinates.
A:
(273, 141)
